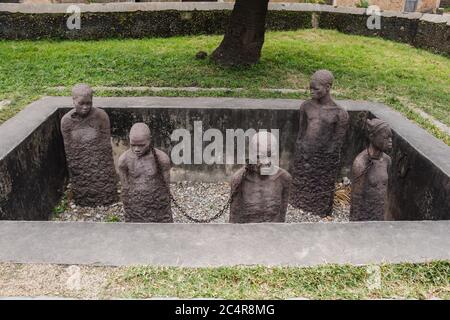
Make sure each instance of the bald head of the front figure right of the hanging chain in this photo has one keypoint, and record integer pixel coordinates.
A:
(264, 153)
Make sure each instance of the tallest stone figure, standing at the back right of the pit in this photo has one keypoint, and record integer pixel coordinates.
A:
(322, 129)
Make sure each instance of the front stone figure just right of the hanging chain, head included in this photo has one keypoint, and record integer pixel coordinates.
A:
(260, 197)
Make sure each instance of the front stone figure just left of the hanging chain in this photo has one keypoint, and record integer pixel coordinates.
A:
(145, 175)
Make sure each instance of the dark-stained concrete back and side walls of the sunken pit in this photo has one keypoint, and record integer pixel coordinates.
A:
(33, 169)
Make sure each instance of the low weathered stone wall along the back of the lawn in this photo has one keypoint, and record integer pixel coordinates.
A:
(140, 20)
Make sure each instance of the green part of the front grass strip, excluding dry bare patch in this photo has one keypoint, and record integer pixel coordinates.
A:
(418, 281)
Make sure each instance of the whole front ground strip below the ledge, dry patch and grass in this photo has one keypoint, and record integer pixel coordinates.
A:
(412, 281)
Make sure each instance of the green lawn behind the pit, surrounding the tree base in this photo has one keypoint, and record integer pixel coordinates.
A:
(396, 74)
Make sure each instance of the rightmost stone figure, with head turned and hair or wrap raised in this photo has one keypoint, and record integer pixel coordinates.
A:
(370, 175)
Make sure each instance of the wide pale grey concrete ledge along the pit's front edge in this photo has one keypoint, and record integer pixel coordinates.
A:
(119, 244)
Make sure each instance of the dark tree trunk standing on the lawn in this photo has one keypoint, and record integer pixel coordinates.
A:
(244, 37)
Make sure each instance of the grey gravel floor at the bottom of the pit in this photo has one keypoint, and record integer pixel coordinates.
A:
(201, 200)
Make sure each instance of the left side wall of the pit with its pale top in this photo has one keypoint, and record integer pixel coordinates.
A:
(32, 164)
